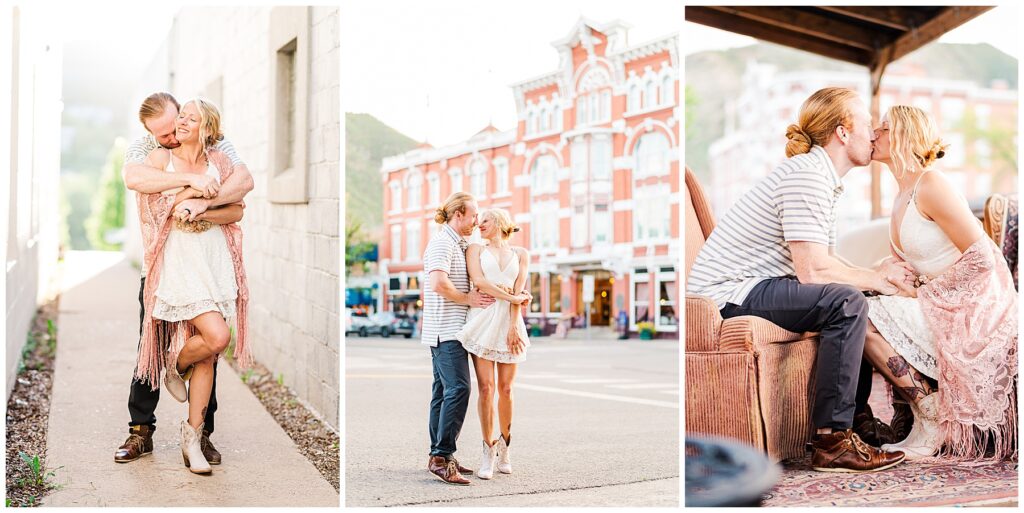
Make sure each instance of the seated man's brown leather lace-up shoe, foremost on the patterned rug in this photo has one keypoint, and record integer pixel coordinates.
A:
(845, 452)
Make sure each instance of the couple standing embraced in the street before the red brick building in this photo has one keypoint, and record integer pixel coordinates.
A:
(473, 307)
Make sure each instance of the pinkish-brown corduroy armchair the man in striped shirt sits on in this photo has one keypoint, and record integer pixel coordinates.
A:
(746, 377)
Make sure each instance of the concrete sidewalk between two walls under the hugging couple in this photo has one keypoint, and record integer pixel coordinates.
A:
(98, 339)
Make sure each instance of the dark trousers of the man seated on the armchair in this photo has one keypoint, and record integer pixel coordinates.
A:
(840, 314)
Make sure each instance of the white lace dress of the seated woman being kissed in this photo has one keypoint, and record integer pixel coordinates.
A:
(900, 319)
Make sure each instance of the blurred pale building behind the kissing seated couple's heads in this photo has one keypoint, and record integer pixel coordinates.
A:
(965, 112)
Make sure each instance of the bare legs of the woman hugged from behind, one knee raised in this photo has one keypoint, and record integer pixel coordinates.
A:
(214, 337)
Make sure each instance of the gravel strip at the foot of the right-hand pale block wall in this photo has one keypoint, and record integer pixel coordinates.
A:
(316, 441)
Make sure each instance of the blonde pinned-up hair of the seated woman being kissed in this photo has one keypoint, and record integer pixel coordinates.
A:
(914, 140)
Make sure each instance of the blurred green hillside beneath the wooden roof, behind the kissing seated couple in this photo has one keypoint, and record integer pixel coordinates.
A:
(714, 77)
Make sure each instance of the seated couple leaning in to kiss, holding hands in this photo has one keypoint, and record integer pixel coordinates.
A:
(937, 319)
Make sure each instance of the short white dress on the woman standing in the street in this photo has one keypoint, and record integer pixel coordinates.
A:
(487, 329)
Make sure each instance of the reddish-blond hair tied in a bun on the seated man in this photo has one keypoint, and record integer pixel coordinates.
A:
(820, 116)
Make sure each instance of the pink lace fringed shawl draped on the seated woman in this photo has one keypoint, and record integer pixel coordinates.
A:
(972, 313)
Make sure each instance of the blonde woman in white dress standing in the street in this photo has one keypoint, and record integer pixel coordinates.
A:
(496, 336)
